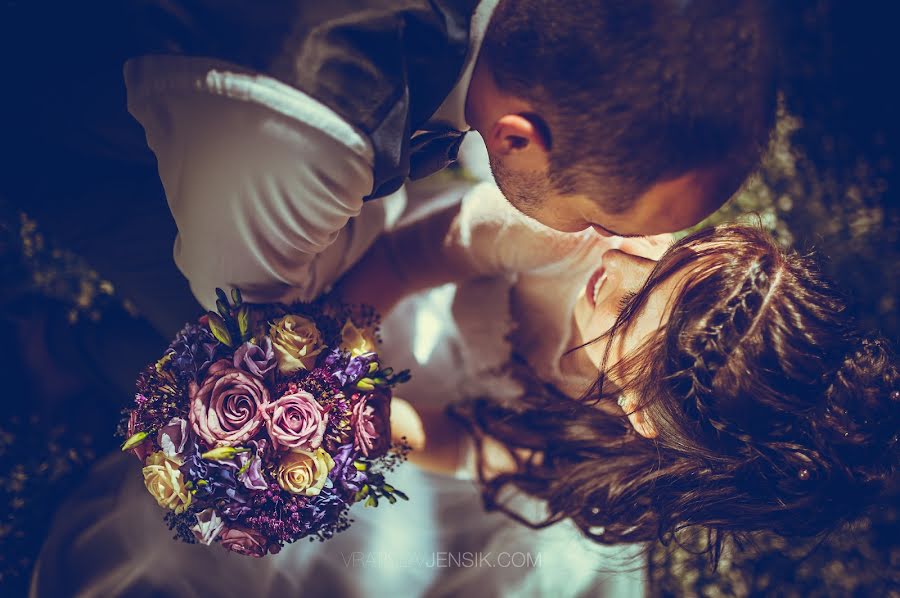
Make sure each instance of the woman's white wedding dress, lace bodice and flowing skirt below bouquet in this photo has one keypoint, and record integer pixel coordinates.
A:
(109, 539)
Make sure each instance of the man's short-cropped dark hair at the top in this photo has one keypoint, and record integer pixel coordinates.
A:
(639, 91)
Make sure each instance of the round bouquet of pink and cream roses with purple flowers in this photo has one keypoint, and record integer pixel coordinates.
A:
(262, 425)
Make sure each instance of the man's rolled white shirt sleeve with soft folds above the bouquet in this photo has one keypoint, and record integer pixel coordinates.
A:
(264, 182)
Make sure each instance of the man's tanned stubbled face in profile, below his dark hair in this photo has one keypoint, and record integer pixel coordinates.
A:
(667, 206)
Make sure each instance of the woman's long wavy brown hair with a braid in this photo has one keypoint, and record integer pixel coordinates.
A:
(772, 412)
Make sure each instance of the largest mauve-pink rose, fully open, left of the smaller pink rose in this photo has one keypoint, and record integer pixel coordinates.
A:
(227, 409)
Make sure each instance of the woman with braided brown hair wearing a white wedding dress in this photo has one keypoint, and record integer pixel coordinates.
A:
(726, 356)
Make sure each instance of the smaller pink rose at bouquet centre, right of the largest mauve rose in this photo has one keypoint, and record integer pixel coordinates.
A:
(296, 421)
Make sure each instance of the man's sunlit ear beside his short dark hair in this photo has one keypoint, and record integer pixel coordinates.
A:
(521, 141)
